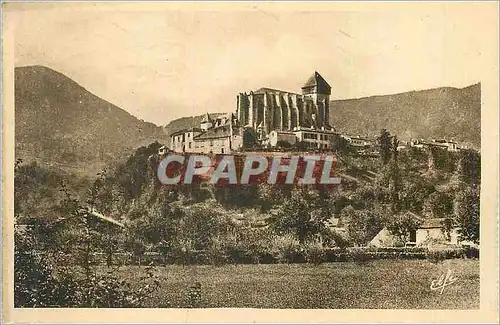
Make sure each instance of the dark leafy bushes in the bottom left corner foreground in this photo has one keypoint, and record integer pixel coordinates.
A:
(38, 284)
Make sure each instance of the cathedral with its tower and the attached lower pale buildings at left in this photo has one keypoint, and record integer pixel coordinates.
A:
(268, 117)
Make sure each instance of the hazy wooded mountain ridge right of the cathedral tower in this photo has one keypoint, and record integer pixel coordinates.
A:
(436, 113)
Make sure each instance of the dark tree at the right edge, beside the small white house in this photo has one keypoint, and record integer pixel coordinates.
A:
(467, 212)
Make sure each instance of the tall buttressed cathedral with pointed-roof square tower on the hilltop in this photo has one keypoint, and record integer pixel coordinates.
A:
(269, 109)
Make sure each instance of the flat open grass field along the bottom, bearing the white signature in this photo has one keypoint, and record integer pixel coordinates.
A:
(403, 284)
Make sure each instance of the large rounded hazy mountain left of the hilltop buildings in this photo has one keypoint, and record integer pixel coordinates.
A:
(60, 123)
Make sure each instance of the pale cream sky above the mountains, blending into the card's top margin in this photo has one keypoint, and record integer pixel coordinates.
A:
(161, 62)
